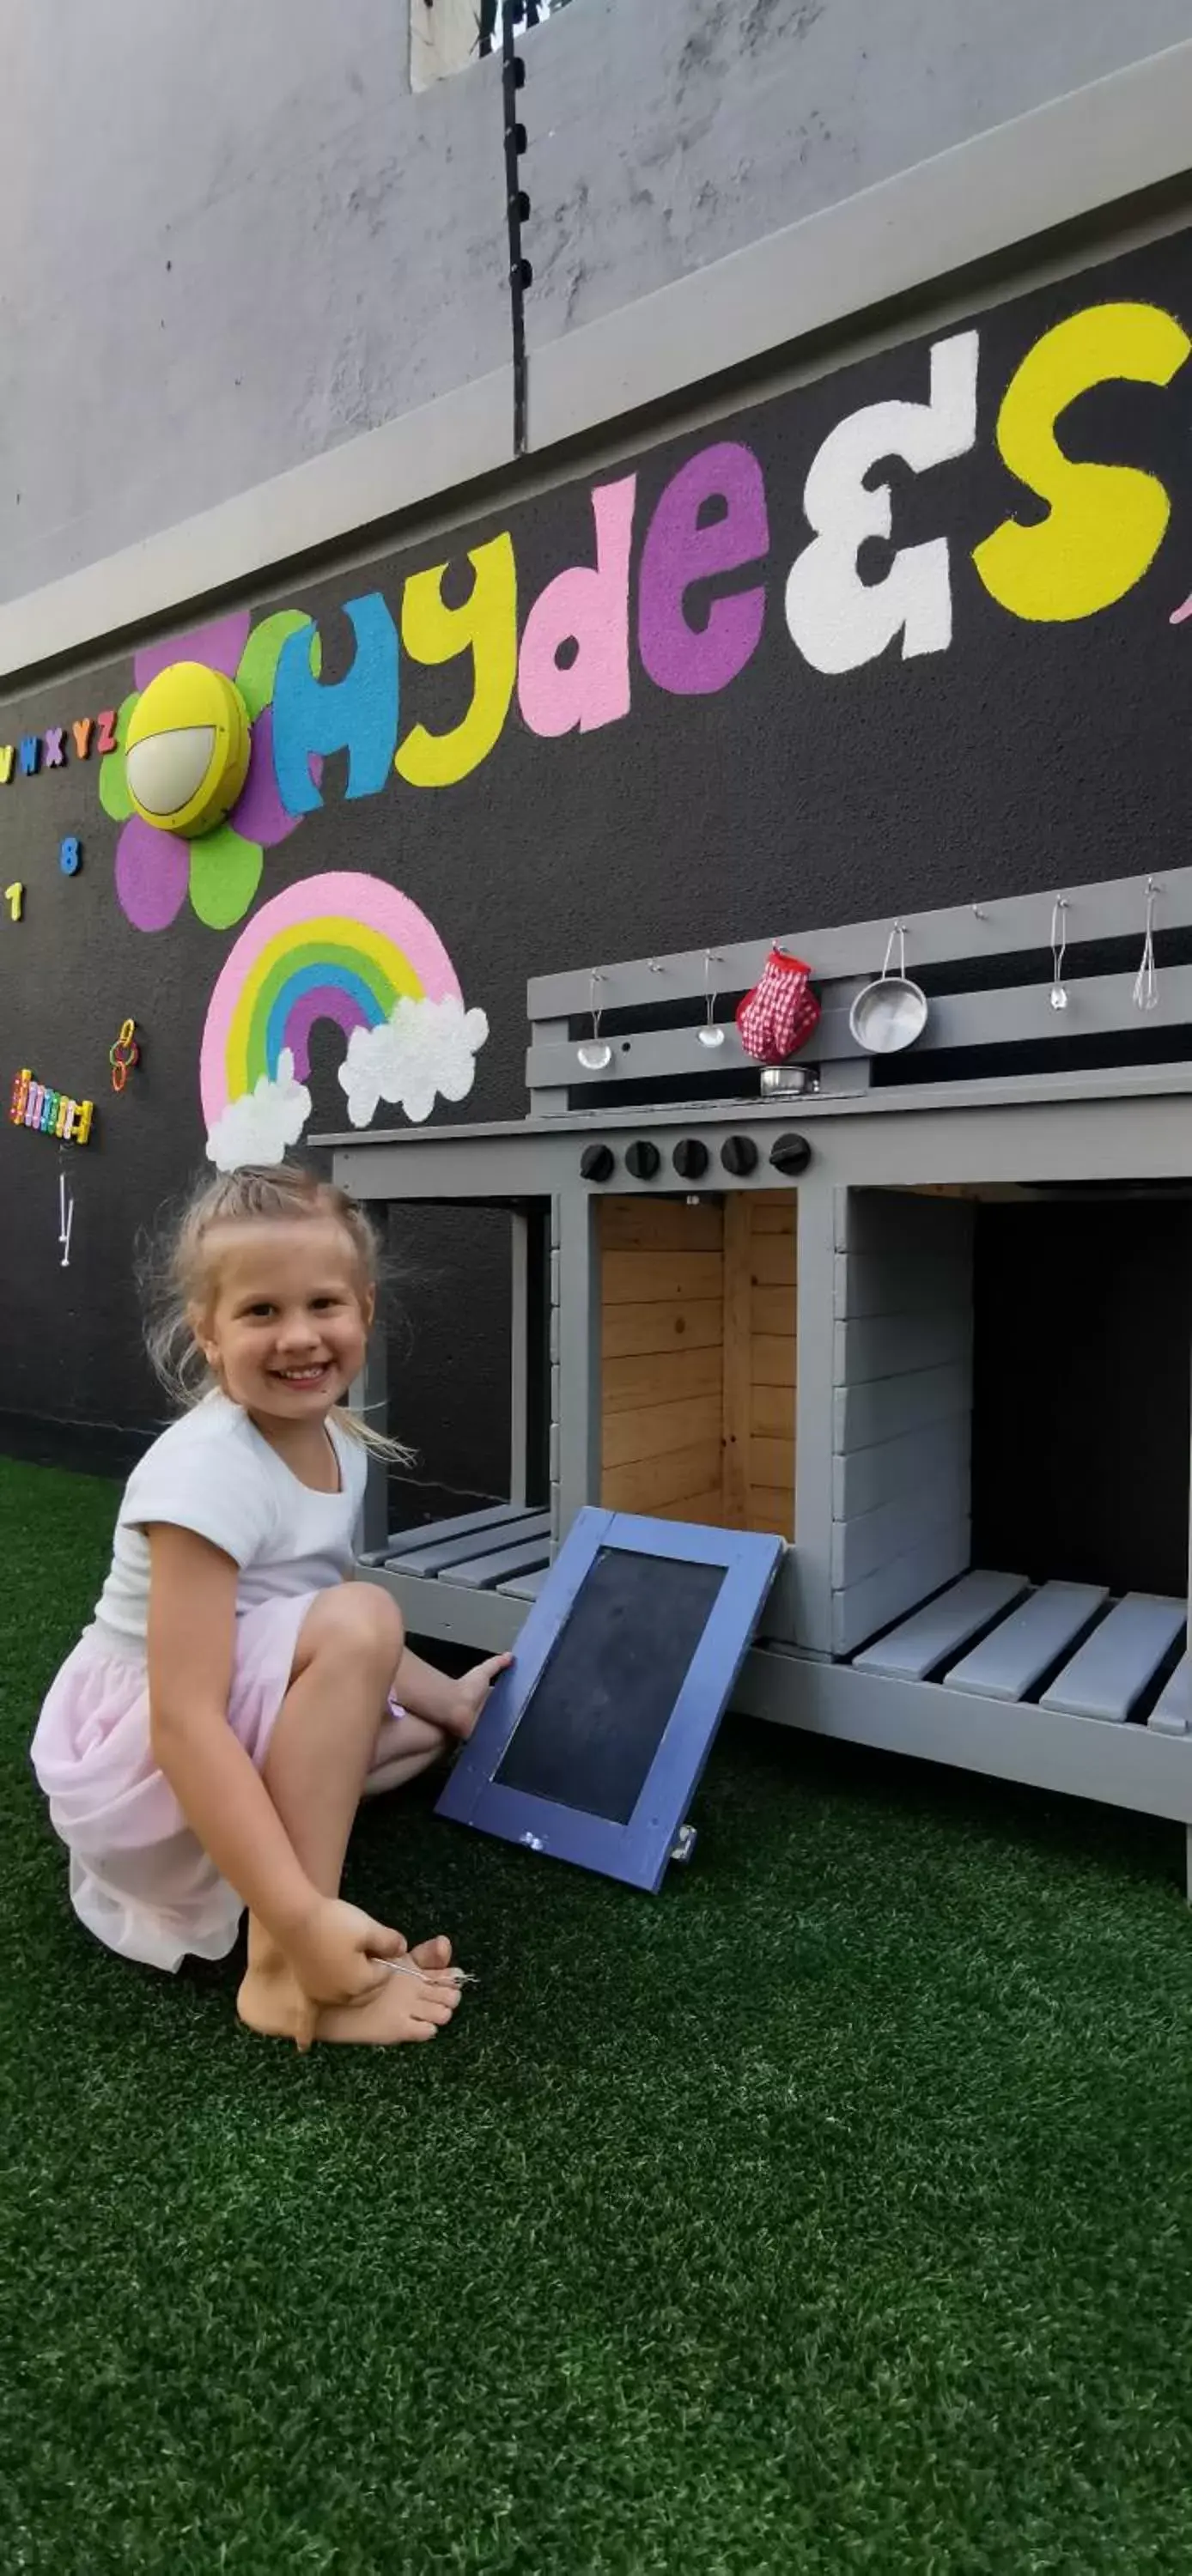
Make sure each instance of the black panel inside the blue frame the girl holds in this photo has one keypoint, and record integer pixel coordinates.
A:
(599, 1712)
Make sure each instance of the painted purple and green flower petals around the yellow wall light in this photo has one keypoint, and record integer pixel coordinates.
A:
(156, 869)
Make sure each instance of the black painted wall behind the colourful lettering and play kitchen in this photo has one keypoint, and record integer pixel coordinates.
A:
(1023, 756)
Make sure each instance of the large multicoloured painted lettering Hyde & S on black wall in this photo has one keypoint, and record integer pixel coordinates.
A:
(712, 522)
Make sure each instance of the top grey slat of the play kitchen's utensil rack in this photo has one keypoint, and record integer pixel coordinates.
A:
(856, 949)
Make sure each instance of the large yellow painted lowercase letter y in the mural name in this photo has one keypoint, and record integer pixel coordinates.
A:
(488, 630)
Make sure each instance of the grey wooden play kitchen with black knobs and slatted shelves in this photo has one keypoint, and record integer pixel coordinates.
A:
(748, 1297)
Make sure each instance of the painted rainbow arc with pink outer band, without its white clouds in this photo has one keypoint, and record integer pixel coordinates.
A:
(339, 949)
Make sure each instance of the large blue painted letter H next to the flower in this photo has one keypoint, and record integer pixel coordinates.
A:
(354, 715)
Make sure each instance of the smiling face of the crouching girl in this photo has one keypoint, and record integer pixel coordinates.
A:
(287, 1318)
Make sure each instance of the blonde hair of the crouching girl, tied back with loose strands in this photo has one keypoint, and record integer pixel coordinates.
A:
(176, 1274)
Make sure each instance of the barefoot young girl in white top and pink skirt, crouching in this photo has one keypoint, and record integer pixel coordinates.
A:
(236, 1694)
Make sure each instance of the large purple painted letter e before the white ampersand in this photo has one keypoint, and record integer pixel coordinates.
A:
(696, 661)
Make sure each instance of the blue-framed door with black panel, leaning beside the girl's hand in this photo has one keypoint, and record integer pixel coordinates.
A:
(593, 1743)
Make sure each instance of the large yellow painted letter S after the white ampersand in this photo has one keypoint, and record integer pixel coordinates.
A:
(1106, 524)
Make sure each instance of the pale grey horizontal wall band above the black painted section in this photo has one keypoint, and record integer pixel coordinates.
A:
(1054, 166)
